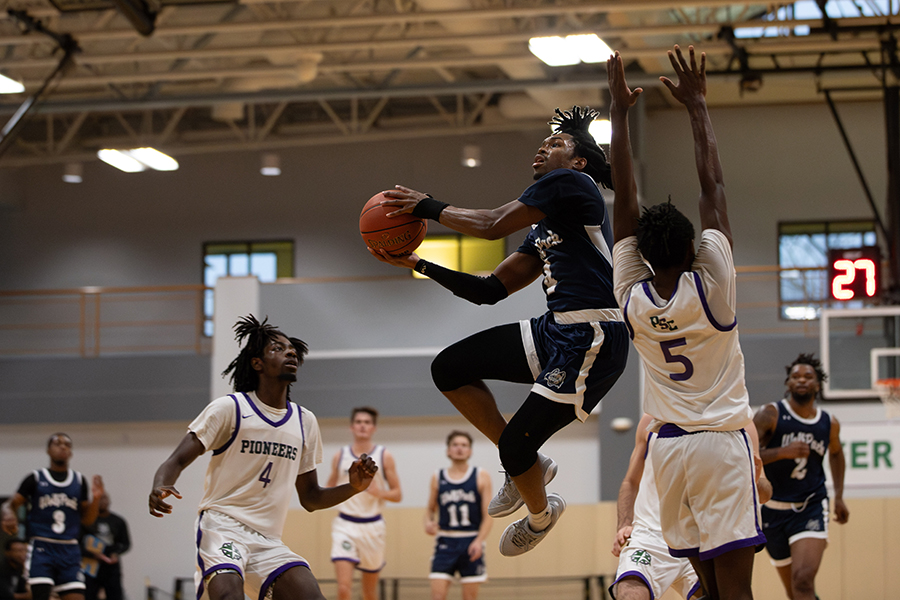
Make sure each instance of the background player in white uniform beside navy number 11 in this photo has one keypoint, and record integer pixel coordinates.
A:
(358, 533)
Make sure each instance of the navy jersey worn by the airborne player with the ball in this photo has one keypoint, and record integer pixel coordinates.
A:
(574, 240)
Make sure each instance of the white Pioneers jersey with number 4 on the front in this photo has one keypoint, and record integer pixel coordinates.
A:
(255, 464)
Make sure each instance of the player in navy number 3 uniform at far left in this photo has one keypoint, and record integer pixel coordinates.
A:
(59, 501)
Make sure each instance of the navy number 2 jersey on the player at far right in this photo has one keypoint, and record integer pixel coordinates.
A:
(801, 478)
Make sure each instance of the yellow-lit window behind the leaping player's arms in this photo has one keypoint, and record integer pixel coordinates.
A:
(462, 253)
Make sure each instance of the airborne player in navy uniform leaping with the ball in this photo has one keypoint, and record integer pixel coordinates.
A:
(572, 355)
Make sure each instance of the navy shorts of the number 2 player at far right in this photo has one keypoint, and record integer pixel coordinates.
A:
(790, 522)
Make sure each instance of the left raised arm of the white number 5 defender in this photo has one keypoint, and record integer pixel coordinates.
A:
(625, 210)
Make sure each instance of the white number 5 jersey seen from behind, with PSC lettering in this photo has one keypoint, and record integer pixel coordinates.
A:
(693, 364)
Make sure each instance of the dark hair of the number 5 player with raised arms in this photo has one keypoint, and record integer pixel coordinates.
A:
(664, 235)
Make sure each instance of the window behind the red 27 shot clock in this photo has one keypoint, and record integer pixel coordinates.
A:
(803, 261)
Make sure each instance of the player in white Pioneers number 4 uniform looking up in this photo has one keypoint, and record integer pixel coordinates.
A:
(263, 445)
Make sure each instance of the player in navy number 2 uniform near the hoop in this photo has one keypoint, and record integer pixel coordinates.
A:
(795, 435)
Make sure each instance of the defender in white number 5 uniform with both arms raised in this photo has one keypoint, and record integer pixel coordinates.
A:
(679, 306)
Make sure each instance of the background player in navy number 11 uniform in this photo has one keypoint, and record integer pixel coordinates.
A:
(459, 498)
